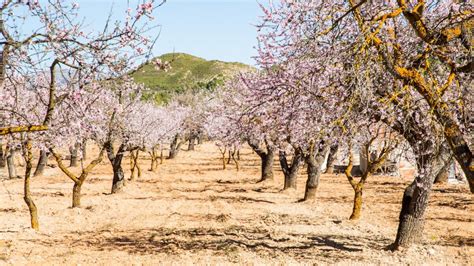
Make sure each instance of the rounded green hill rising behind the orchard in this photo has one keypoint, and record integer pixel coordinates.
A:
(187, 72)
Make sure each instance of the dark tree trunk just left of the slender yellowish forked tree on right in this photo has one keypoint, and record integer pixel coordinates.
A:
(314, 164)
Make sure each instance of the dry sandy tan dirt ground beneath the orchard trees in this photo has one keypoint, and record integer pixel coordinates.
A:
(192, 212)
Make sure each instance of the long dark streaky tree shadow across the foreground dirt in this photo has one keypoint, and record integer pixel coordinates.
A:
(219, 242)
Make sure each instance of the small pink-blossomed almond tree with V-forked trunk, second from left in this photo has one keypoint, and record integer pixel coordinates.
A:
(81, 115)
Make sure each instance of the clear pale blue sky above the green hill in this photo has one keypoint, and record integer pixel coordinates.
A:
(212, 29)
